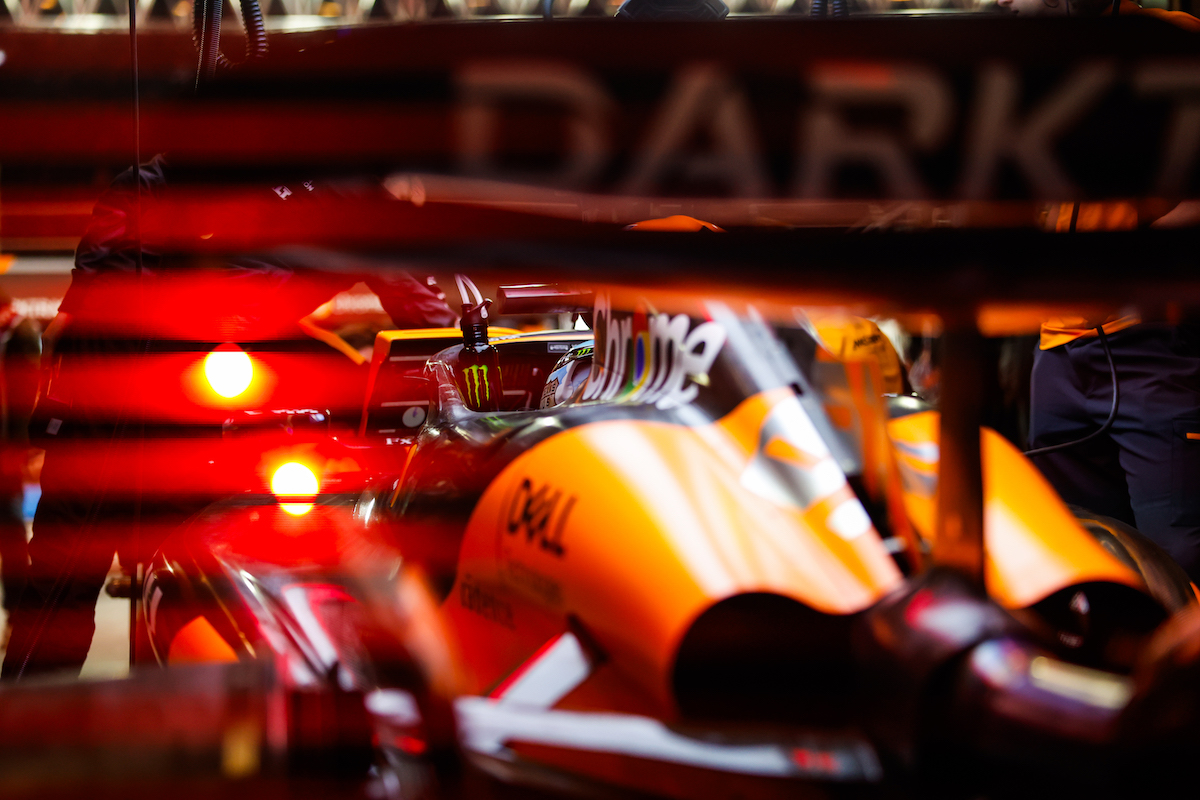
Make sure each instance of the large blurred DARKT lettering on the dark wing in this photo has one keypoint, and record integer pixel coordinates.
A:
(867, 129)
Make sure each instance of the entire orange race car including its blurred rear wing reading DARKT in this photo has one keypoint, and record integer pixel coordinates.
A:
(685, 552)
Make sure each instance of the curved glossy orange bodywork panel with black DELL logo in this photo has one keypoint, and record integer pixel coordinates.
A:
(632, 530)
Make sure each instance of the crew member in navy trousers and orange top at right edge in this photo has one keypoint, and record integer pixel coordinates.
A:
(1145, 468)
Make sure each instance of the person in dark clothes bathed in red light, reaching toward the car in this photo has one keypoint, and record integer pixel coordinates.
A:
(110, 485)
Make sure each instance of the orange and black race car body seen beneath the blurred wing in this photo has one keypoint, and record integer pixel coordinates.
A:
(683, 555)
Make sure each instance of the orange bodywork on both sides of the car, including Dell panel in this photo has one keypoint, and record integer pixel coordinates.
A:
(632, 530)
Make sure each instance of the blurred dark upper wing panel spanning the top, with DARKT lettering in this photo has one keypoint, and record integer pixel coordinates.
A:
(941, 110)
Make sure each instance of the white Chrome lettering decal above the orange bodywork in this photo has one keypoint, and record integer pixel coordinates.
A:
(651, 358)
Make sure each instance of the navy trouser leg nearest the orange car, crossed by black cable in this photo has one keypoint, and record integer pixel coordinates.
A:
(1067, 404)
